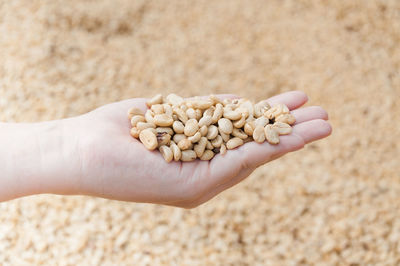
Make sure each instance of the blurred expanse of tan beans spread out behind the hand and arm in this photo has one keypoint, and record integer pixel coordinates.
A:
(337, 202)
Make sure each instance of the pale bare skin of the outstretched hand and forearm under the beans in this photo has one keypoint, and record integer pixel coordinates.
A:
(93, 154)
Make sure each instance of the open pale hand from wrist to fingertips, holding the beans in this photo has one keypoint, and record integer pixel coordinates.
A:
(116, 166)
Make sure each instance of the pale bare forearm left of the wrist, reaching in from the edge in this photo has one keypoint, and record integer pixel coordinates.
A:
(36, 158)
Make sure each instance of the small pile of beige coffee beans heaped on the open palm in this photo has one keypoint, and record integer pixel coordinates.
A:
(186, 129)
